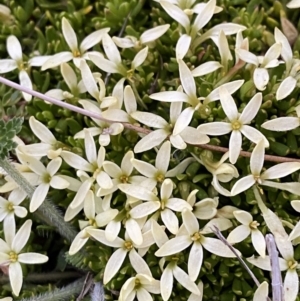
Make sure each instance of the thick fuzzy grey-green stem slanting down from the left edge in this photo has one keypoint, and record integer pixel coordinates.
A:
(47, 211)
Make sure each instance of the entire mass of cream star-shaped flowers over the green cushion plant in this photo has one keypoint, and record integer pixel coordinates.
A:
(153, 214)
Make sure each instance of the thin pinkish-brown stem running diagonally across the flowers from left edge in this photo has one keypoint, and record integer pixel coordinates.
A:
(128, 125)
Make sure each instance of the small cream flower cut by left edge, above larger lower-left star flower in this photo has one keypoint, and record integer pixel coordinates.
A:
(10, 207)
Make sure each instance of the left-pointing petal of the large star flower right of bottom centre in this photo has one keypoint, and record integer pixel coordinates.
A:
(174, 245)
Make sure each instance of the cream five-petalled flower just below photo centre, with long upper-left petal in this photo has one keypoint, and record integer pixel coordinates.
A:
(165, 204)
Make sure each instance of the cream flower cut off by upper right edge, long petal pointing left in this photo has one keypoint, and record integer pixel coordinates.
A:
(282, 124)
